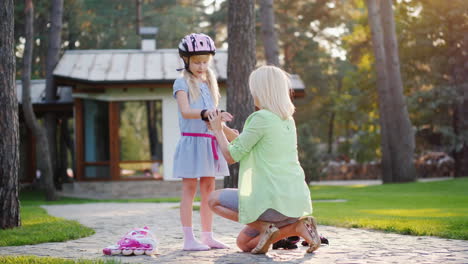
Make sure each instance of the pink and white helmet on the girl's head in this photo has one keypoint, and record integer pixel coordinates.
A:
(196, 44)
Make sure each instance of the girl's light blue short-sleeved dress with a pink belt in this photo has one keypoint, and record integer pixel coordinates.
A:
(194, 157)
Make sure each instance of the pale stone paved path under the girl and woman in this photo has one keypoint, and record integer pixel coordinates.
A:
(112, 220)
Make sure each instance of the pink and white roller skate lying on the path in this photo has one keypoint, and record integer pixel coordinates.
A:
(139, 241)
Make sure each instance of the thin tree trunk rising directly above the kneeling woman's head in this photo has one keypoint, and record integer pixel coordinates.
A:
(270, 41)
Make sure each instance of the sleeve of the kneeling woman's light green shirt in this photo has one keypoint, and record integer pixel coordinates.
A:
(254, 130)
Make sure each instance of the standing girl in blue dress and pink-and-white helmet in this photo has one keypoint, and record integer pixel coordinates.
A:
(197, 155)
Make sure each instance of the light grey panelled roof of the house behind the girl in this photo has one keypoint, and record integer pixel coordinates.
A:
(132, 66)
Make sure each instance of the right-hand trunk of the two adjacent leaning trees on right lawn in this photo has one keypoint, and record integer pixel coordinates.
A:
(402, 134)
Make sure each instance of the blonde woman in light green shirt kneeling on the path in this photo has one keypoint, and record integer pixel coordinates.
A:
(273, 199)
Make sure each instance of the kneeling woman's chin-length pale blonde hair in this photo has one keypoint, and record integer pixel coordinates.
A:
(271, 86)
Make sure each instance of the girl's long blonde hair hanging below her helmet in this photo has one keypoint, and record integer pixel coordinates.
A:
(194, 89)
